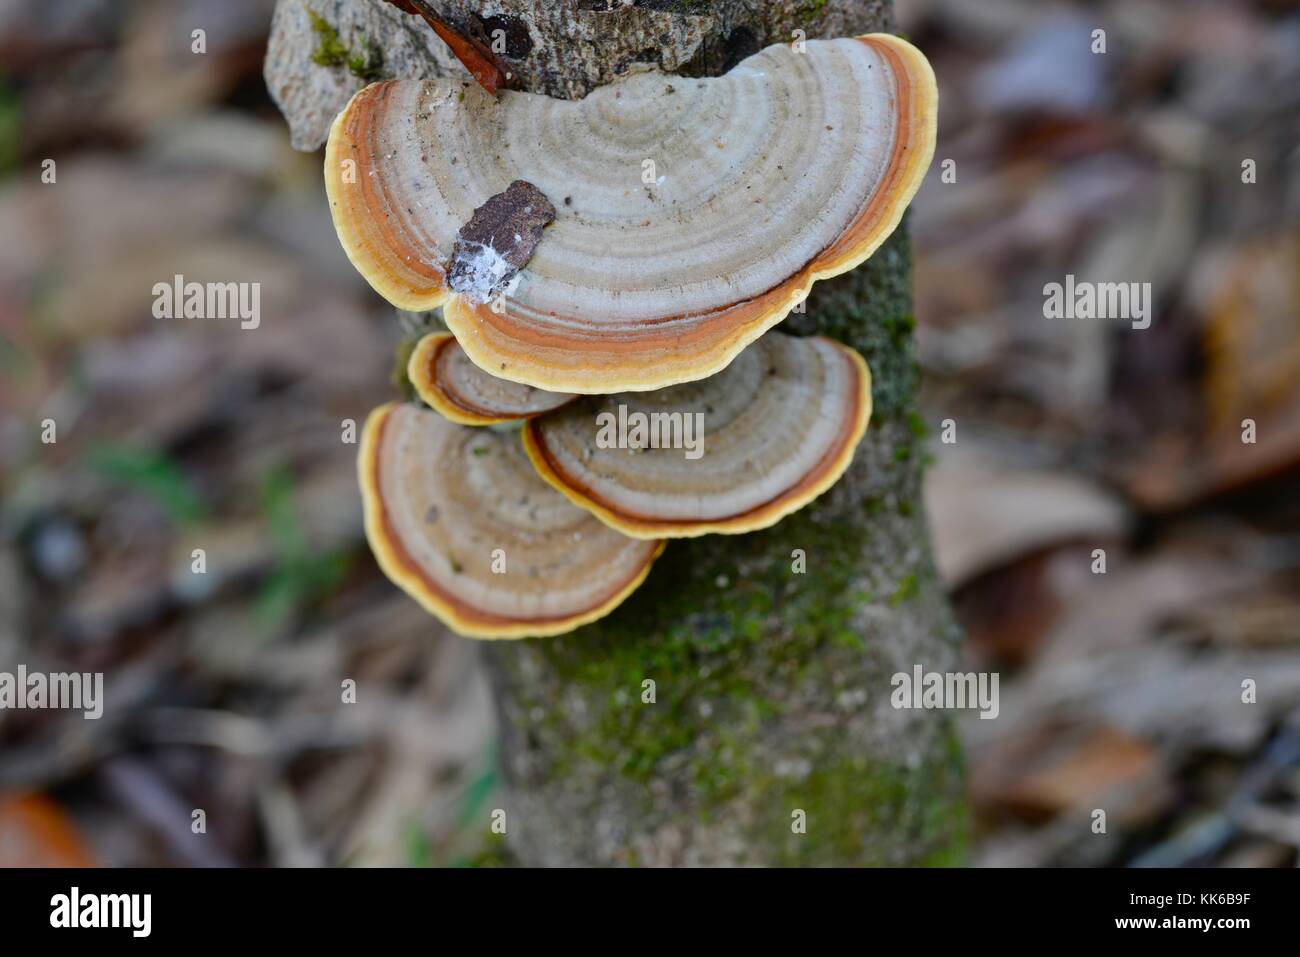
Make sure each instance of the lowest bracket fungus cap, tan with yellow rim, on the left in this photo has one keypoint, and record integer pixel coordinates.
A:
(461, 522)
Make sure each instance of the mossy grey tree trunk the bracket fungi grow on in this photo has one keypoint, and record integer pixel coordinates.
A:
(736, 709)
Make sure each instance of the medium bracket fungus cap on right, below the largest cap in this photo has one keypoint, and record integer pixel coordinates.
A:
(778, 428)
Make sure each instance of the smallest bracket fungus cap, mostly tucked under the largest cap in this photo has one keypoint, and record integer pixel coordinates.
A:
(447, 380)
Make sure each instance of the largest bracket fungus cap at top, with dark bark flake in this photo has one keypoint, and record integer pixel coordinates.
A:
(691, 215)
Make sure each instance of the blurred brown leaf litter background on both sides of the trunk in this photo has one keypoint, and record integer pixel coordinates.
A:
(1119, 690)
